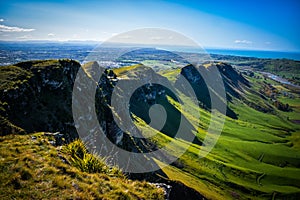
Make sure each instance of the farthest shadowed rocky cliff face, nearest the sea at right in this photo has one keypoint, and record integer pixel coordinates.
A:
(200, 77)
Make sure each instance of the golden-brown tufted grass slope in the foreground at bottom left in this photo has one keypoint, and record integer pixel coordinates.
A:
(31, 168)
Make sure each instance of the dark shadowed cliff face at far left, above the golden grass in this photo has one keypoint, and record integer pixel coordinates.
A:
(36, 96)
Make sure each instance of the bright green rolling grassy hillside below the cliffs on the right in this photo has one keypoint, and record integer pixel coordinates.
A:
(257, 155)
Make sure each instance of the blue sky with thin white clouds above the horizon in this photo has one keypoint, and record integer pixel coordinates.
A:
(264, 25)
